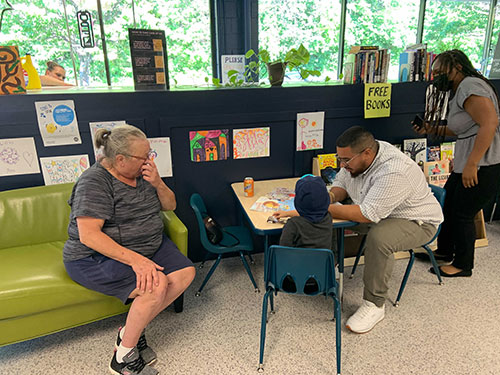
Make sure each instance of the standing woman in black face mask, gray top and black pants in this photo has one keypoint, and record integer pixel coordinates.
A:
(473, 118)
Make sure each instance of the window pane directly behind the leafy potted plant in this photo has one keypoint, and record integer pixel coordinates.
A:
(285, 24)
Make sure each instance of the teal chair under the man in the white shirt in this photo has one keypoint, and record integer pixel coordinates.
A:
(440, 194)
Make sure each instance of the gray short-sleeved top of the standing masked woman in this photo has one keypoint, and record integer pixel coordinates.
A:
(460, 122)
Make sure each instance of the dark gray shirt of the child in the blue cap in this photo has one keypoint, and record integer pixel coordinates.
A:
(300, 232)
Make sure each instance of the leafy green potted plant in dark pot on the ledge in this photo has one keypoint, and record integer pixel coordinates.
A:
(294, 59)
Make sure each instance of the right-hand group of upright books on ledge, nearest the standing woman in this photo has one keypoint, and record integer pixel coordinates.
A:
(415, 63)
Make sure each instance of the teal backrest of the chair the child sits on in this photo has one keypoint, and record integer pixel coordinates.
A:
(300, 264)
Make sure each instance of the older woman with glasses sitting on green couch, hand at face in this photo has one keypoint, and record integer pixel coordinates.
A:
(116, 244)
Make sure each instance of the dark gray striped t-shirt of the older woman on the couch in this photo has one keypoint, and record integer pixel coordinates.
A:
(131, 214)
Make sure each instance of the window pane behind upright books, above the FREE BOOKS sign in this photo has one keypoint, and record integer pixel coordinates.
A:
(388, 24)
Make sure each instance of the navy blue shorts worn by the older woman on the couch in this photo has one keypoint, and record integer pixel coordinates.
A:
(111, 277)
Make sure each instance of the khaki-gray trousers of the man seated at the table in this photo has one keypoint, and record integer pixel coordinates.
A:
(383, 240)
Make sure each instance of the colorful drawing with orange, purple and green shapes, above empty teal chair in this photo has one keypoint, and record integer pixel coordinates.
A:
(208, 145)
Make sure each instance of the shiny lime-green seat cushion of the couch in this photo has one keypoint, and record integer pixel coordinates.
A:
(33, 279)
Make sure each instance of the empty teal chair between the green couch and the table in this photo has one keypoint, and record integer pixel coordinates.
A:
(235, 239)
